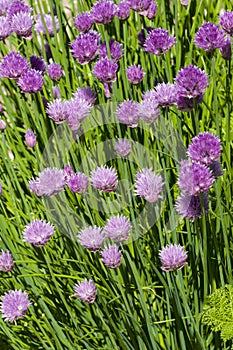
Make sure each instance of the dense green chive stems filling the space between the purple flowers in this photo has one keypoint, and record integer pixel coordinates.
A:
(138, 306)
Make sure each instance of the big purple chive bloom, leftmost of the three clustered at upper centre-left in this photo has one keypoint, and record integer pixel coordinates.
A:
(85, 46)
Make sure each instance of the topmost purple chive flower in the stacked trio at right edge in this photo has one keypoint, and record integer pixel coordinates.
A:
(205, 148)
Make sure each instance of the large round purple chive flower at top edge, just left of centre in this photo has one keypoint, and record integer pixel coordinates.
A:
(103, 11)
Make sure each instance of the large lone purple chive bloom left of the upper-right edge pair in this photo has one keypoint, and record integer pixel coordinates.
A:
(158, 41)
